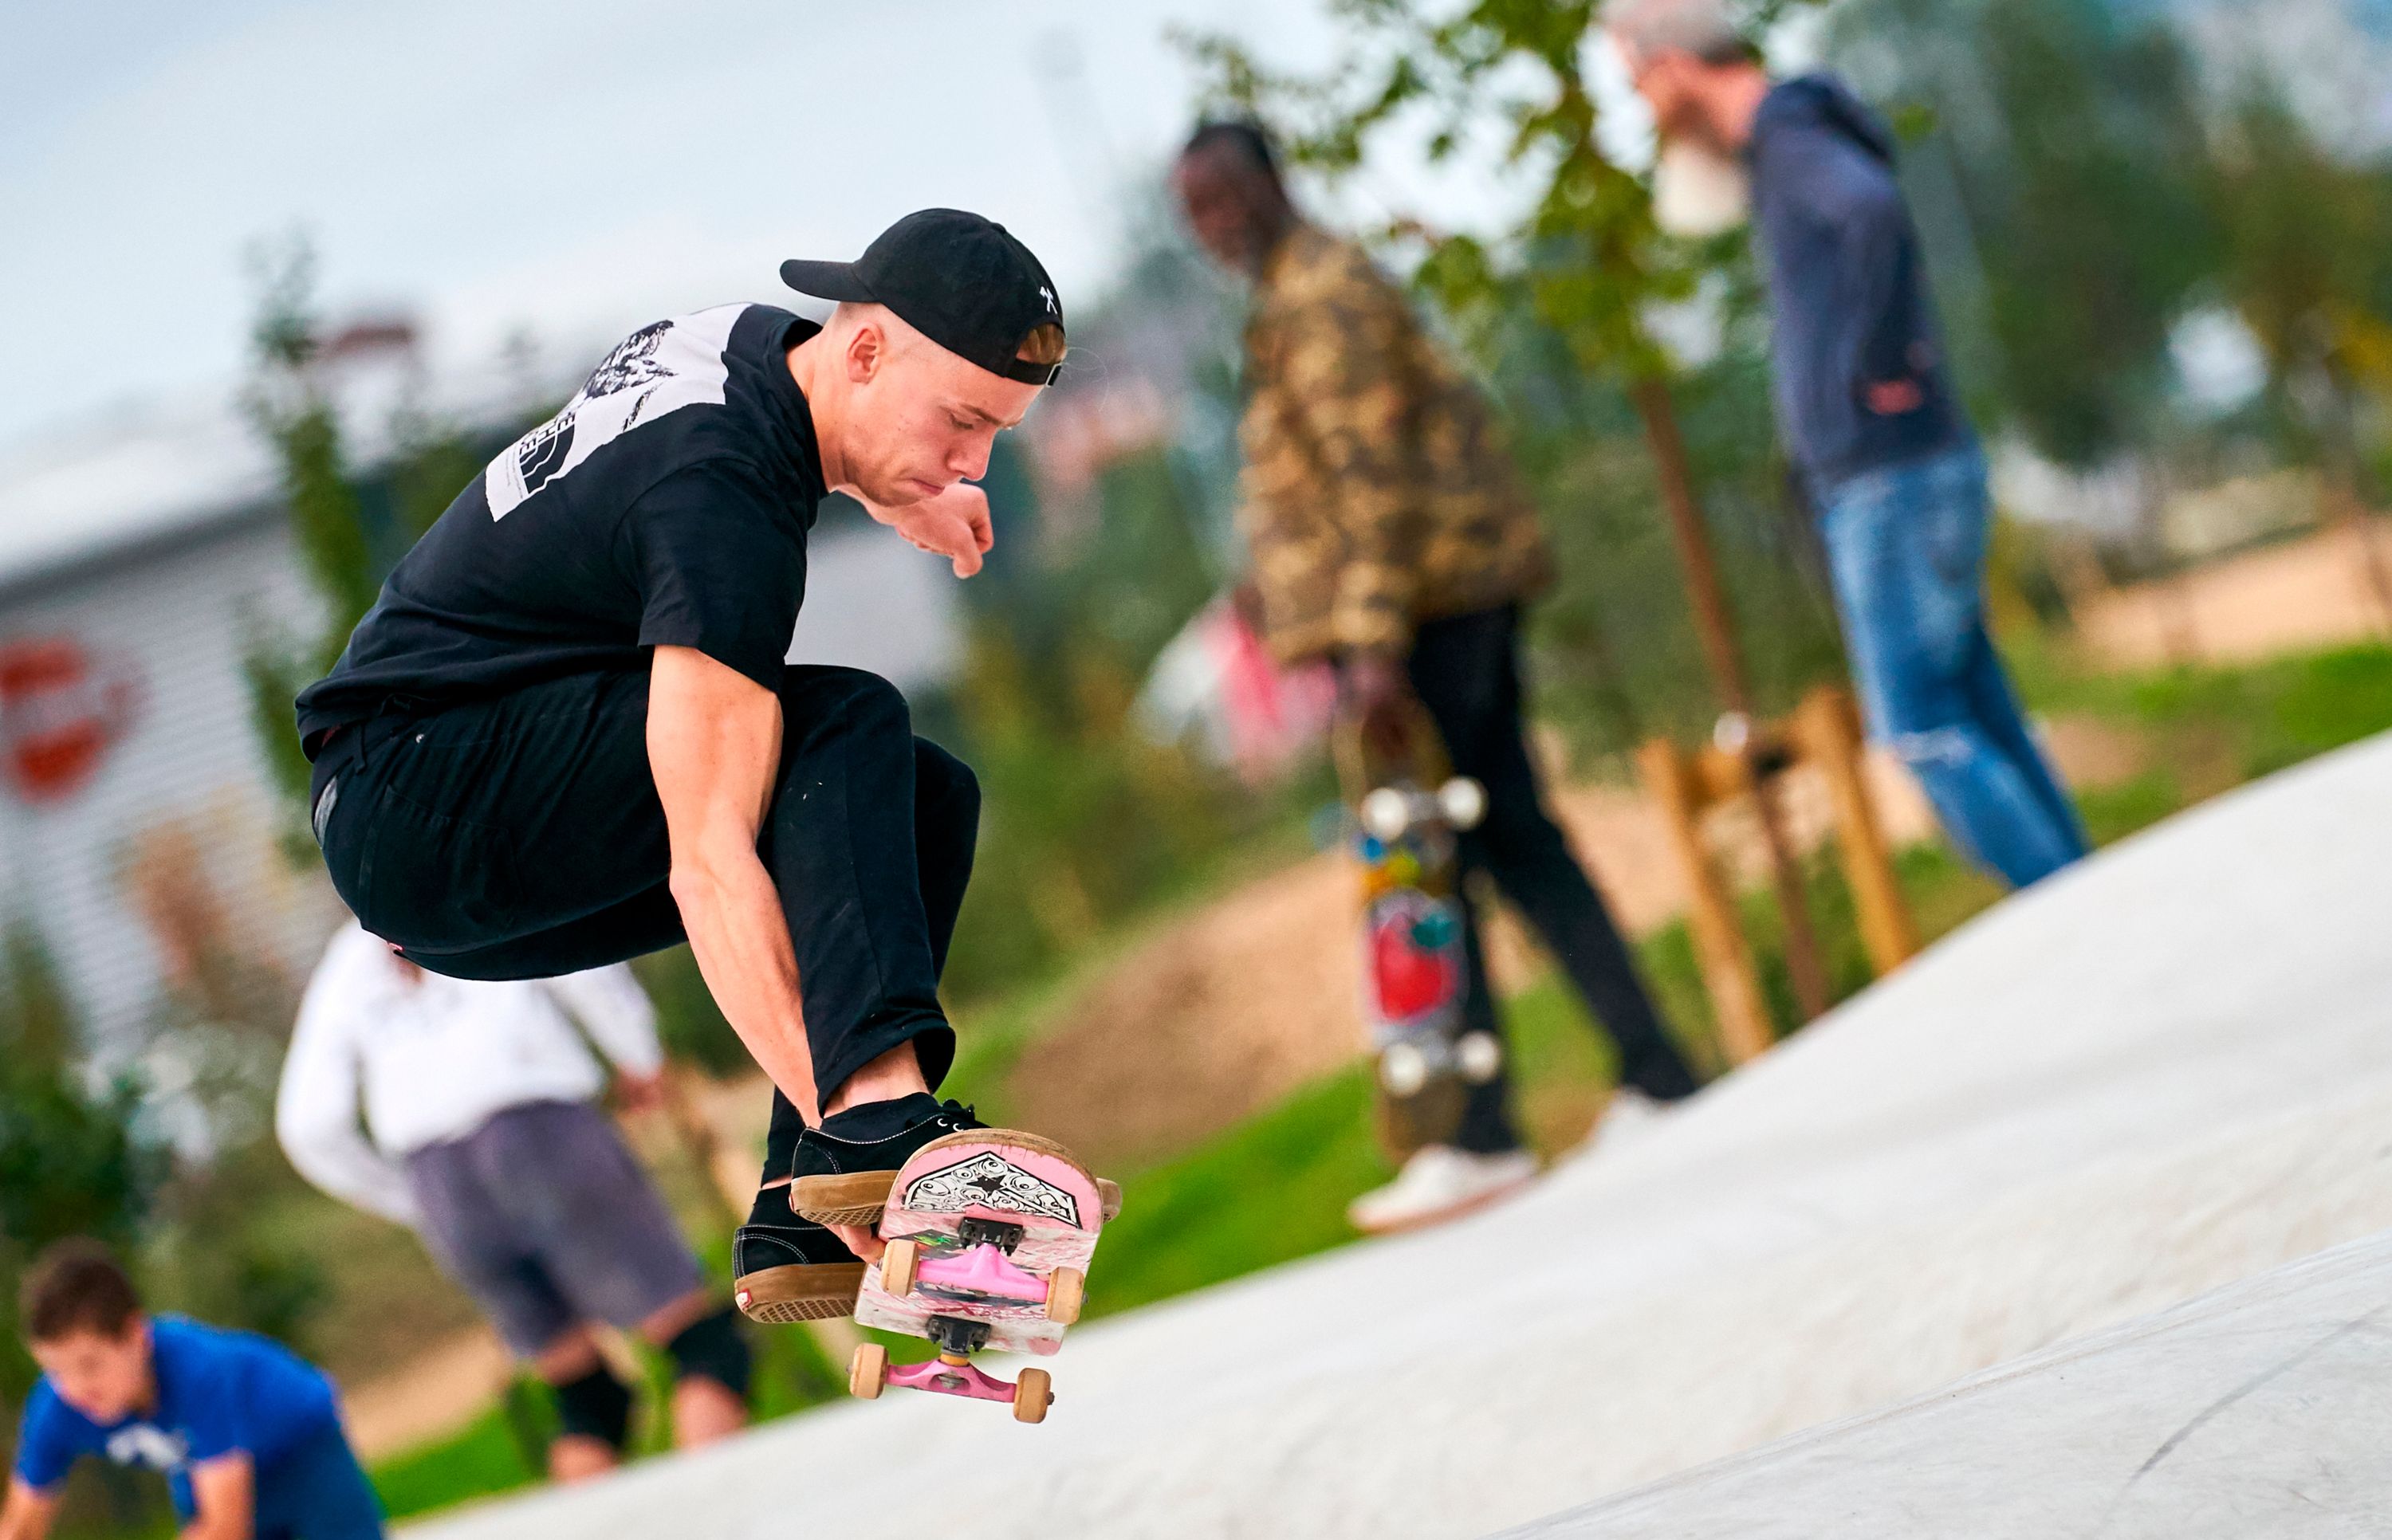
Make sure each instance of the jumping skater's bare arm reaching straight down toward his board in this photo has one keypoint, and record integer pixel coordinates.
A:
(714, 745)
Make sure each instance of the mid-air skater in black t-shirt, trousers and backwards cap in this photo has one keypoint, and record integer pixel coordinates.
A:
(568, 735)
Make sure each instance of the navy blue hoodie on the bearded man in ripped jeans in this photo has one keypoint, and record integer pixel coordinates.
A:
(1848, 288)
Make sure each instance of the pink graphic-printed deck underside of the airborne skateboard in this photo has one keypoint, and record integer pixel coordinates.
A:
(987, 1178)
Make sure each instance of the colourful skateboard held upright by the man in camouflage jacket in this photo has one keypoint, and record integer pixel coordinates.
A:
(1415, 962)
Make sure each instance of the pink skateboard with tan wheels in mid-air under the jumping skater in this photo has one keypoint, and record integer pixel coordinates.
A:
(989, 1240)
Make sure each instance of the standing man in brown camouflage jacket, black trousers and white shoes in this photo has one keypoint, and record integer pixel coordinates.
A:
(1391, 534)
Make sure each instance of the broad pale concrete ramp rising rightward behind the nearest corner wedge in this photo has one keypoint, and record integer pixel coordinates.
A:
(2152, 1077)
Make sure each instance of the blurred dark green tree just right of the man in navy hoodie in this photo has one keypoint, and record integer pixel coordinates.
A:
(2065, 149)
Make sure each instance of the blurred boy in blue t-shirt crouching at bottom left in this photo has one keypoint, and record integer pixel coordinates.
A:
(245, 1431)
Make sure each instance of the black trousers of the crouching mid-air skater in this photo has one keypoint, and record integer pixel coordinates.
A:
(523, 838)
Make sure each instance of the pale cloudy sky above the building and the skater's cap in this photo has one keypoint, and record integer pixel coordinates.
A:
(563, 169)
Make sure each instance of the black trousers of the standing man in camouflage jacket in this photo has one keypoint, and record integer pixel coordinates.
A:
(1467, 676)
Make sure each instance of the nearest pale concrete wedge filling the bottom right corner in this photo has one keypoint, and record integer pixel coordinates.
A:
(2259, 1410)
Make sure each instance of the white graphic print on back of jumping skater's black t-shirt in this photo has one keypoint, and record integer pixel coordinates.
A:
(649, 374)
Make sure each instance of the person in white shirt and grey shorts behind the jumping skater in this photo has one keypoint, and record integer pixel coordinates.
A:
(484, 1137)
